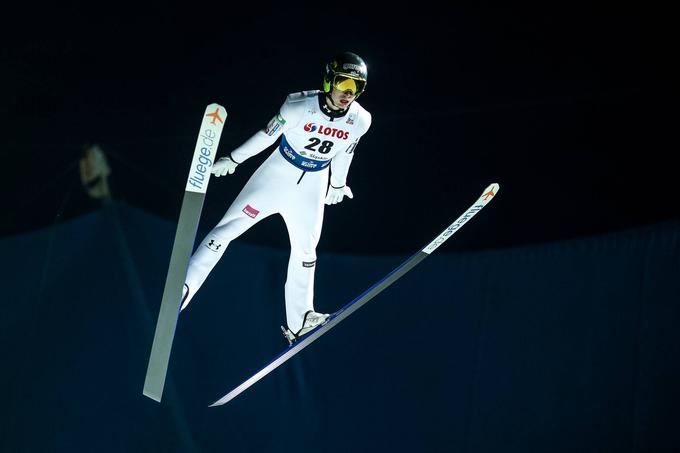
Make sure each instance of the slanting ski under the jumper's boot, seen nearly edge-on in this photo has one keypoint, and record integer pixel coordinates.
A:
(369, 294)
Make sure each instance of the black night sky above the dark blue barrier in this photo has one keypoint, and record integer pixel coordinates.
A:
(569, 108)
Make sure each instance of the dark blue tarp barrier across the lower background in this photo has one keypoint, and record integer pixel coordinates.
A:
(560, 347)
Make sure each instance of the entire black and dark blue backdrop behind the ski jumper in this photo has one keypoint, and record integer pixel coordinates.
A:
(555, 309)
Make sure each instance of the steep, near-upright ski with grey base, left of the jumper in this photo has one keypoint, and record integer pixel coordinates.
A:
(187, 225)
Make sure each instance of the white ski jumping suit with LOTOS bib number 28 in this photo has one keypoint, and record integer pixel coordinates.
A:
(292, 182)
